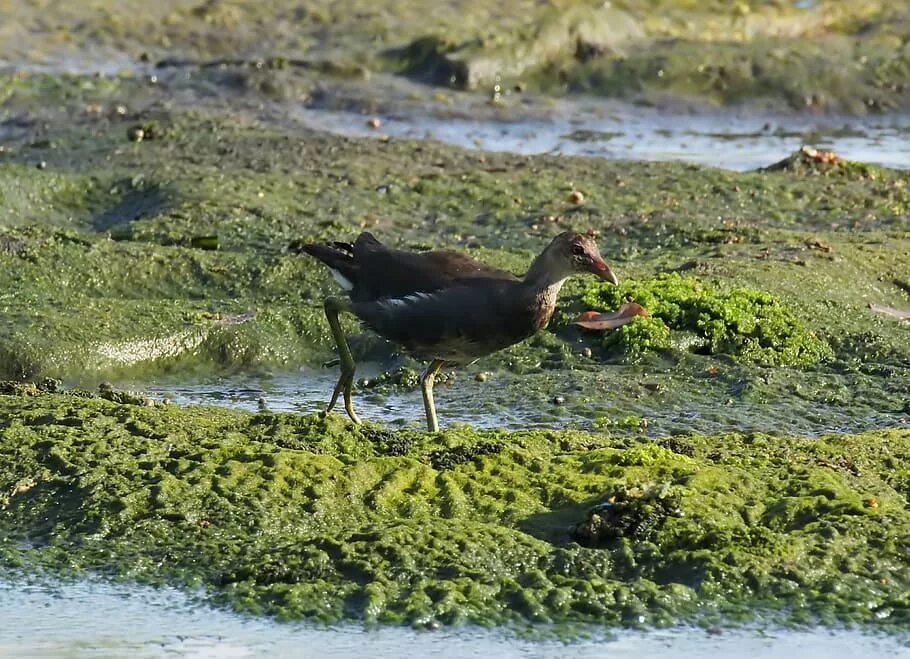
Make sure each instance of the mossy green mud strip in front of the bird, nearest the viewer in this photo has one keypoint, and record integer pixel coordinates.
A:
(297, 516)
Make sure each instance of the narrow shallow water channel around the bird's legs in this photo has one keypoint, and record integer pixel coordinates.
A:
(507, 401)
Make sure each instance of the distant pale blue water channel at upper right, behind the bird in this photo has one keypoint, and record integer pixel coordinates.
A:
(725, 140)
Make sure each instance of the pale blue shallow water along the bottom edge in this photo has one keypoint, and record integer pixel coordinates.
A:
(95, 619)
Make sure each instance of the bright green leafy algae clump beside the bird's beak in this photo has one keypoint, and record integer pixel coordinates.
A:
(750, 325)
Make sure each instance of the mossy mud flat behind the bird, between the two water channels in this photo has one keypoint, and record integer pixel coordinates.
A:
(105, 273)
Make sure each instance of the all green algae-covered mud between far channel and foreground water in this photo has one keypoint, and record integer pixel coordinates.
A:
(128, 258)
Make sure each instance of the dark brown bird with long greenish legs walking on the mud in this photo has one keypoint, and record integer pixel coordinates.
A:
(443, 306)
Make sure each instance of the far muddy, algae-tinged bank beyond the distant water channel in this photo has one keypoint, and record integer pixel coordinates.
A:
(816, 56)
